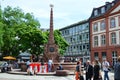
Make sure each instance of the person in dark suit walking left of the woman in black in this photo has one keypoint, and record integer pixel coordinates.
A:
(89, 70)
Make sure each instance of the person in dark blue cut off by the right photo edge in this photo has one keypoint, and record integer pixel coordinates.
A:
(117, 70)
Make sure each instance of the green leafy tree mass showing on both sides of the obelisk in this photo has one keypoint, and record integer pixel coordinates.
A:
(20, 31)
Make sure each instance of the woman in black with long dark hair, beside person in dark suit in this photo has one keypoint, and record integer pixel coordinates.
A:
(96, 72)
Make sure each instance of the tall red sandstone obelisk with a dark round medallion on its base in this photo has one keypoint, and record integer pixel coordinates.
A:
(51, 49)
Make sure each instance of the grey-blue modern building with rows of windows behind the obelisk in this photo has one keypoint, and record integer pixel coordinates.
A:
(77, 35)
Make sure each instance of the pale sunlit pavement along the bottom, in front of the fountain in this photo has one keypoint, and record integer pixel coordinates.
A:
(6, 76)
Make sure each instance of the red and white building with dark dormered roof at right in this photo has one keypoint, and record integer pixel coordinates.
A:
(105, 32)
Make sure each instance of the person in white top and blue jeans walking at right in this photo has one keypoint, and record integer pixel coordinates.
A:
(105, 66)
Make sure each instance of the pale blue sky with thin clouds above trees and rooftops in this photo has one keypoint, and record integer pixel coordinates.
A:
(65, 12)
